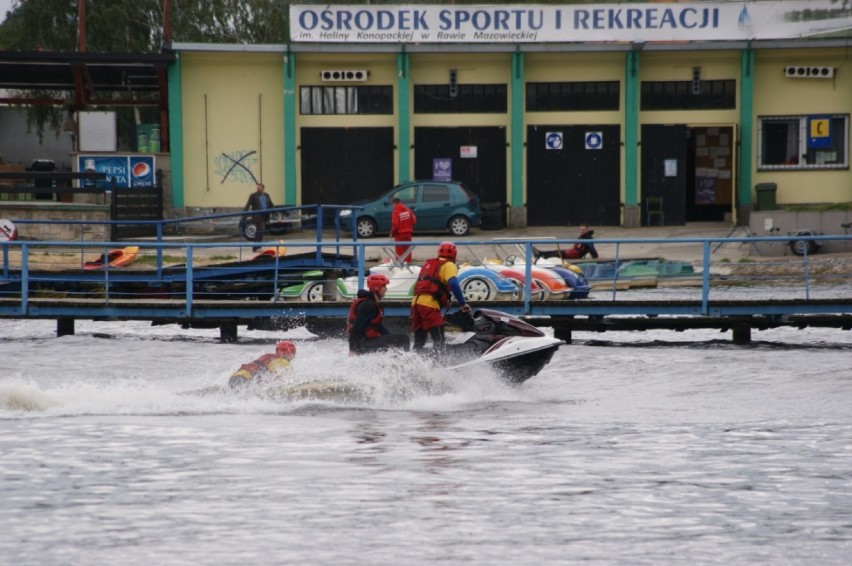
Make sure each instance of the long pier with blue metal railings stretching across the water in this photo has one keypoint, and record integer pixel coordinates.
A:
(223, 284)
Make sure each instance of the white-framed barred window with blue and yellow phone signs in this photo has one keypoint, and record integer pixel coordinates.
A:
(784, 143)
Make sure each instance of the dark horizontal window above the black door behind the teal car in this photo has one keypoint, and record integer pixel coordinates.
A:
(463, 99)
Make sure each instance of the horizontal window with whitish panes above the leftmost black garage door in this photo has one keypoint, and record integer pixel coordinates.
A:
(346, 100)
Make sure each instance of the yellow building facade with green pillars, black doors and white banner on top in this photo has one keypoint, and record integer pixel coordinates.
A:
(648, 115)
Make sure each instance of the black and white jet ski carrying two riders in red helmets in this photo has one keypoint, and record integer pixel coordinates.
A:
(515, 348)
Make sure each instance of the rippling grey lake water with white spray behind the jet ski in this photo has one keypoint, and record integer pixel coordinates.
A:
(629, 448)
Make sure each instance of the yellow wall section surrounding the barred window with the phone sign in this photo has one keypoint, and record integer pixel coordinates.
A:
(775, 94)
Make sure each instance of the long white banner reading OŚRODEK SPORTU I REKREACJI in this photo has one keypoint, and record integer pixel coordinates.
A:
(698, 21)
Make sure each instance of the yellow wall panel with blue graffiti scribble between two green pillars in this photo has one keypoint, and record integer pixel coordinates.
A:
(232, 105)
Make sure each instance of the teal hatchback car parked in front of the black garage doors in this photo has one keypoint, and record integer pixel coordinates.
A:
(438, 205)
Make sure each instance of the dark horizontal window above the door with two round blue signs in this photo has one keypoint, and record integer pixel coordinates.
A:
(554, 97)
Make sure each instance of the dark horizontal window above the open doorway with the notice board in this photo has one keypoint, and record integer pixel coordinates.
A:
(680, 95)
